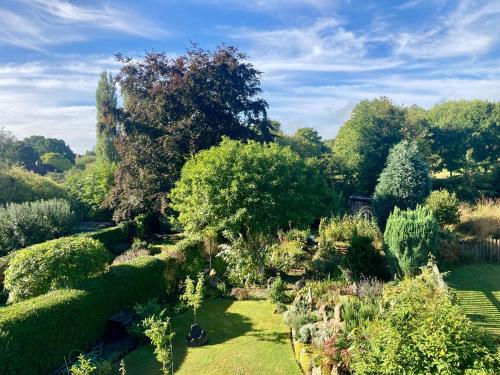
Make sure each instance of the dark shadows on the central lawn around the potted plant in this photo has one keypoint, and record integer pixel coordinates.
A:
(213, 317)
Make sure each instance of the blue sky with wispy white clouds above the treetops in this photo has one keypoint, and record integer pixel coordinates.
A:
(318, 58)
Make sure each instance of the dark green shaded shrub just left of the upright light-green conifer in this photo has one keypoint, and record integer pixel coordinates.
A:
(362, 259)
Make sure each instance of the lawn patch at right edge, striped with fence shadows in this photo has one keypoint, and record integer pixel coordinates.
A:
(478, 290)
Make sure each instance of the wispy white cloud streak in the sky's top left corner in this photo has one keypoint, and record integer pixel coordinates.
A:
(41, 23)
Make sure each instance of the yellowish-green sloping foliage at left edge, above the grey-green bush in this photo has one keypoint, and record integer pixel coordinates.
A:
(18, 185)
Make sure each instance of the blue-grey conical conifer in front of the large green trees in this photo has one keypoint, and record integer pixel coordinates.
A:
(403, 183)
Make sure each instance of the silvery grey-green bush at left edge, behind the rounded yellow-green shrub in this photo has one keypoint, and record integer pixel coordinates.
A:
(24, 224)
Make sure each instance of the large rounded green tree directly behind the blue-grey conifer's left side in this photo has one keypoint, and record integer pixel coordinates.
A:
(363, 142)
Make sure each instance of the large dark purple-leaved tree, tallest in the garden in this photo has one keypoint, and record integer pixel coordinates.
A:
(174, 108)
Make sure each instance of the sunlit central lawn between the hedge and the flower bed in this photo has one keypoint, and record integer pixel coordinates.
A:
(245, 337)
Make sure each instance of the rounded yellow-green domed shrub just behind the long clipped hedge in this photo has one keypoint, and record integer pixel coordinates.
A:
(56, 264)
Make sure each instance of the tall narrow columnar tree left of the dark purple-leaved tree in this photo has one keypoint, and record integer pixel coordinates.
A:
(106, 103)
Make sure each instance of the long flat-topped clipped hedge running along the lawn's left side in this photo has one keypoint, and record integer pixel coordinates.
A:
(36, 335)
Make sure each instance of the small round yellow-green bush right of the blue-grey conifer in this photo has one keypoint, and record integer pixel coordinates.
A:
(444, 206)
